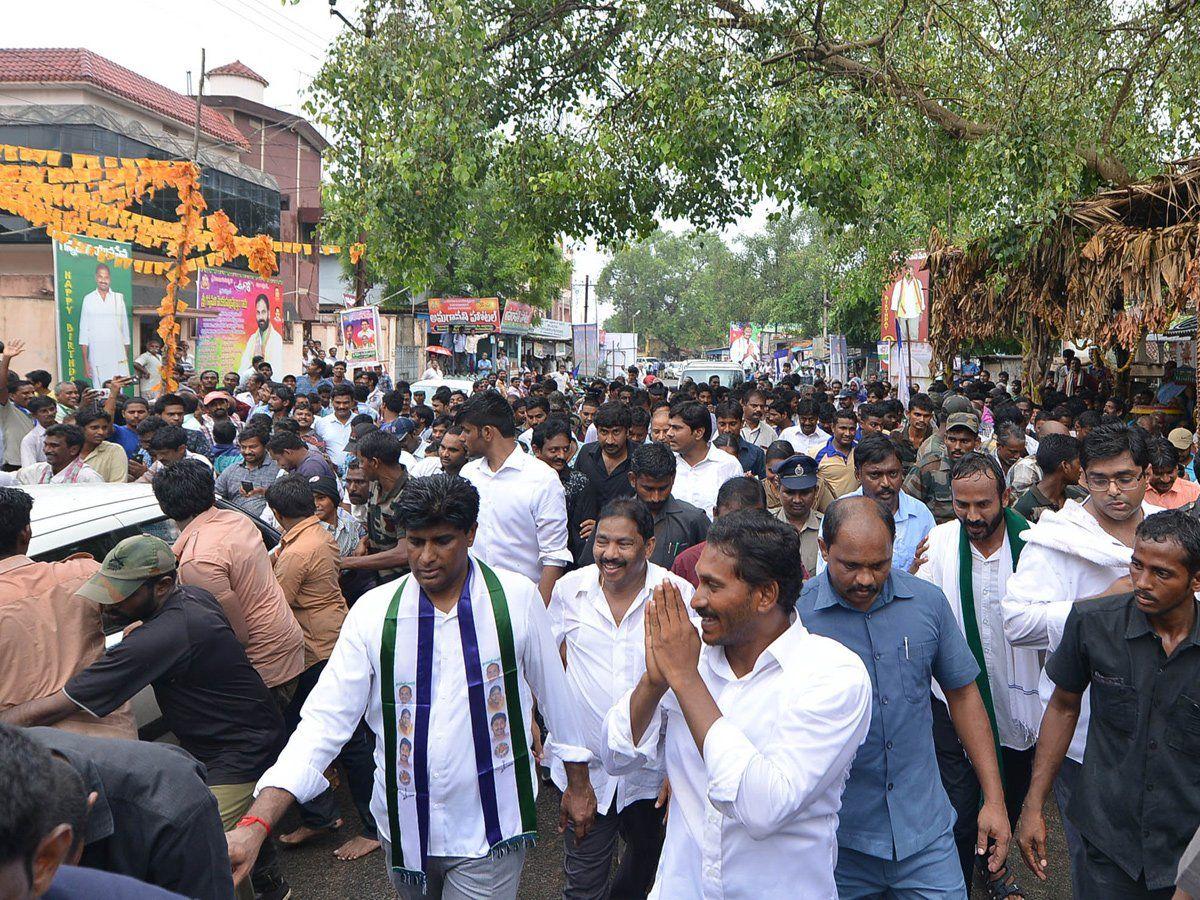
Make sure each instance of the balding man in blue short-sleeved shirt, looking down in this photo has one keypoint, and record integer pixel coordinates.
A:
(896, 833)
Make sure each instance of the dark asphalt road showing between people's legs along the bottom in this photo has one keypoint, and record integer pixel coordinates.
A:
(316, 875)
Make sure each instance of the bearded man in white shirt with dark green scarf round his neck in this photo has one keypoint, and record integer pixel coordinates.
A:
(1010, 681)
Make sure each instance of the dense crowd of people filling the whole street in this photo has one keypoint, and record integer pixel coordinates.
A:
(770, 640)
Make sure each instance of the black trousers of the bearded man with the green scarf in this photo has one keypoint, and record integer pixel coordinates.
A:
(963, 788)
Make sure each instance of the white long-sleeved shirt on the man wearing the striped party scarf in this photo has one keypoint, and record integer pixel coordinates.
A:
(349, 689)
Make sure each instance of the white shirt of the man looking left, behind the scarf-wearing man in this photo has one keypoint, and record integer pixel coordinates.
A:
(523, 514)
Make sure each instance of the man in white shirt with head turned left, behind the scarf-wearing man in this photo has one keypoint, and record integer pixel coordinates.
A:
(523, 524)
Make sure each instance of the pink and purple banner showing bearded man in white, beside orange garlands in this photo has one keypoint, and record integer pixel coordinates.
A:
(248, 322)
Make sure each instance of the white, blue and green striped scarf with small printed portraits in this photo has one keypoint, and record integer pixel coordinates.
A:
(497, 723)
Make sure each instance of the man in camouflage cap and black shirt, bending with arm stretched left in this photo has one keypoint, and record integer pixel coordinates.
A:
(209, 694)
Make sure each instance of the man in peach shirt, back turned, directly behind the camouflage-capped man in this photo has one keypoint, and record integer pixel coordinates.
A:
(223, 553)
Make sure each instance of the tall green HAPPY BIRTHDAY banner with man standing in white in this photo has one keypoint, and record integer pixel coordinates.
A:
(94, 293)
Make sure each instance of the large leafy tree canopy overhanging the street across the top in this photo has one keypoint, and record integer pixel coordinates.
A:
(884, 117)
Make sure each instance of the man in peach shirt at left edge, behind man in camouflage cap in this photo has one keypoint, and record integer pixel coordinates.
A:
(47, 634)
